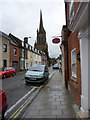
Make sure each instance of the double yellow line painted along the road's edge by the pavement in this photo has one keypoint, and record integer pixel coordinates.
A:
(19, 110)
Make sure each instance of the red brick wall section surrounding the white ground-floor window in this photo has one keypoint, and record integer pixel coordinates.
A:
(75, 86)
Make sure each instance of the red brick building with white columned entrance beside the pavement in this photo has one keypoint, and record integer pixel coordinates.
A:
(76, 42)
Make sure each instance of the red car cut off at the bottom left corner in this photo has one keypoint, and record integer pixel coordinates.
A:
(3, 104)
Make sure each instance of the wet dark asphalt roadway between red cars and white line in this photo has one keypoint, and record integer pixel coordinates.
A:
(15, 87)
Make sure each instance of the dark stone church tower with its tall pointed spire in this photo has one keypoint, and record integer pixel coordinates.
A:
(41, 36)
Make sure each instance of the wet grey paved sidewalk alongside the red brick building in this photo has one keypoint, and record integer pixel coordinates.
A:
(53, 101)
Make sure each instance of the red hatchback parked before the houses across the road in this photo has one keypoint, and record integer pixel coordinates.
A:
(7, 71)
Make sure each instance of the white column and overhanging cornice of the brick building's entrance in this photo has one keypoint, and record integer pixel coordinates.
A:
(80, 24)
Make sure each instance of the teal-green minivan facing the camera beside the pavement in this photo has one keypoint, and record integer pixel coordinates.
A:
(37, 74)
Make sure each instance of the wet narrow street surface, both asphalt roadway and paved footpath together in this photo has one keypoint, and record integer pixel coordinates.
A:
(50, 100)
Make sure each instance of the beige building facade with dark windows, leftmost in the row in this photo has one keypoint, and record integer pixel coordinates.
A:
(4, 50)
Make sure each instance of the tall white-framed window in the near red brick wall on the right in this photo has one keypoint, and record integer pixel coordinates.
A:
(73, 63)
